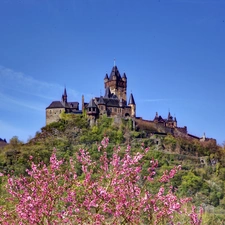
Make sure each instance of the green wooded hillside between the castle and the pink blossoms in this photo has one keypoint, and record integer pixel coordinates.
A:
(203, 163)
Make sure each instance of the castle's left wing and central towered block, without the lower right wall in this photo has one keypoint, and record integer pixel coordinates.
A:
(112, 104)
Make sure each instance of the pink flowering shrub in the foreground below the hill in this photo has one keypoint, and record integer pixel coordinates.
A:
(112, 191)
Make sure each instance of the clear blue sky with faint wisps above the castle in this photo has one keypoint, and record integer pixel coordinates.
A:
(172, 51)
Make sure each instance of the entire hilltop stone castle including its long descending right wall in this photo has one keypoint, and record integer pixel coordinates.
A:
(114, 104)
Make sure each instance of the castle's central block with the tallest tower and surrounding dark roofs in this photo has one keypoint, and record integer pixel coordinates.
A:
(114, 102)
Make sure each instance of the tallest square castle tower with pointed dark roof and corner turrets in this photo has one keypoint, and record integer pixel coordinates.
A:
(117, 84)
